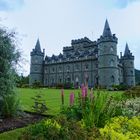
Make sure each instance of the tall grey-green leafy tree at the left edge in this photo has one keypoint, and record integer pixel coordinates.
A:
(9, 57)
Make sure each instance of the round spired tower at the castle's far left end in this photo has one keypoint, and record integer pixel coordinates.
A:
(36, 67)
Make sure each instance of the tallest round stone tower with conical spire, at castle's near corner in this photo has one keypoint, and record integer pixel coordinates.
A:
(107, 58)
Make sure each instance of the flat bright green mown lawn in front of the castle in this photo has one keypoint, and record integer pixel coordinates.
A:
(51, 96)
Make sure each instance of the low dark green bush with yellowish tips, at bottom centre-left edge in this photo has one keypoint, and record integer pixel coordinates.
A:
(55, 129)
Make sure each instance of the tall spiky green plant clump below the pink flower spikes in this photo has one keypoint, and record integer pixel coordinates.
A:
(93, 111)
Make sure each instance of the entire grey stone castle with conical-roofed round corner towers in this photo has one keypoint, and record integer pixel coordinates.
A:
(93, 62)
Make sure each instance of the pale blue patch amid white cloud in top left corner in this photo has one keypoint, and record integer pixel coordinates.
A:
(8, 5)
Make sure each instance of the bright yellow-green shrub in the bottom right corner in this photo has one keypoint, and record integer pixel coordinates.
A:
(121, 128)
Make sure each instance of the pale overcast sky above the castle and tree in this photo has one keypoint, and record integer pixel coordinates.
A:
(57, 22)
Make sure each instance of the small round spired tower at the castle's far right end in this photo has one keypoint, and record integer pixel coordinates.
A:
(128, 66)
